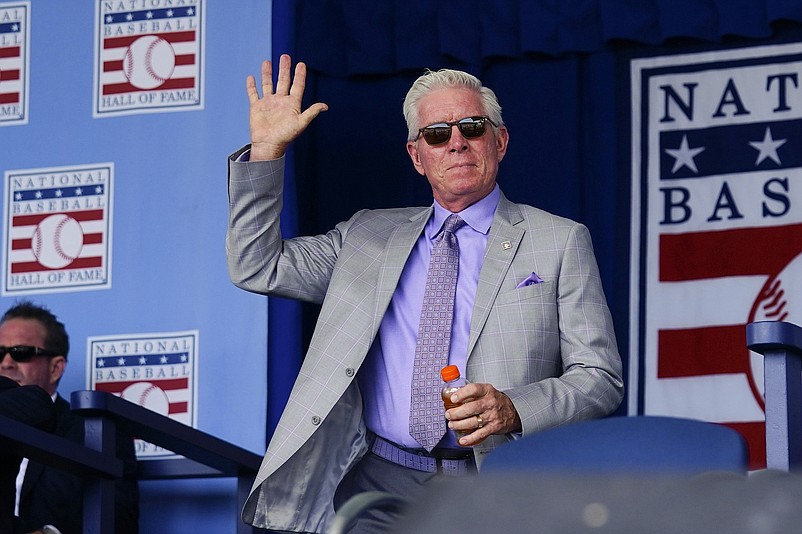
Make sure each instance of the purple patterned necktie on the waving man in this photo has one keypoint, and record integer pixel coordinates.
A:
(427, 422)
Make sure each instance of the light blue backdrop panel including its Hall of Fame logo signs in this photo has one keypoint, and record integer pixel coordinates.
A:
(115, 123)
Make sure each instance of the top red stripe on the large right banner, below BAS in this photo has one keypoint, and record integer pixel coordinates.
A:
(742, 251)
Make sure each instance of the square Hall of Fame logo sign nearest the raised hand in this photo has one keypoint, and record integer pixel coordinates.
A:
(149, 56)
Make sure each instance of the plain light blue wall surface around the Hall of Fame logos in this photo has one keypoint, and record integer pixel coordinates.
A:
(169, 220)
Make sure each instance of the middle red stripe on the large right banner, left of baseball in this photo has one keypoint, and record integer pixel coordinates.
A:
(710, 350)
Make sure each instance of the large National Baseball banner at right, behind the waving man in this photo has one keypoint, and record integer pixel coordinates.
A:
(716, 229)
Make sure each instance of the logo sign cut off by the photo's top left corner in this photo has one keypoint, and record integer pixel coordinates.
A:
(14, 62)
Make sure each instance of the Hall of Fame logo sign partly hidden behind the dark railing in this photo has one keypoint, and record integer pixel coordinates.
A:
(157, 371)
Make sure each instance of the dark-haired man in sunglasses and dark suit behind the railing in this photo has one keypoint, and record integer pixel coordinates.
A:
(33, 347)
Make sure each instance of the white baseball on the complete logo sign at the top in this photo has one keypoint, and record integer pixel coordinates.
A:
(149, 62)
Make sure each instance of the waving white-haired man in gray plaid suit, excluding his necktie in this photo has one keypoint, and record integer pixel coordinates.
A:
(531, 328)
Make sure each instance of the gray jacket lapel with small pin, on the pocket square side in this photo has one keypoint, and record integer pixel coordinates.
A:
(502, 244)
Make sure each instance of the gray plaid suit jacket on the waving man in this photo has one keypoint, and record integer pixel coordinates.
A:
(549, 346)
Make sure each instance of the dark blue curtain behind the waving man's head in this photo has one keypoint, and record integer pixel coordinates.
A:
(560, 70)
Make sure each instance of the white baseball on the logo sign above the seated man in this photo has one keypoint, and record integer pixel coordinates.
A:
(57, 241)
